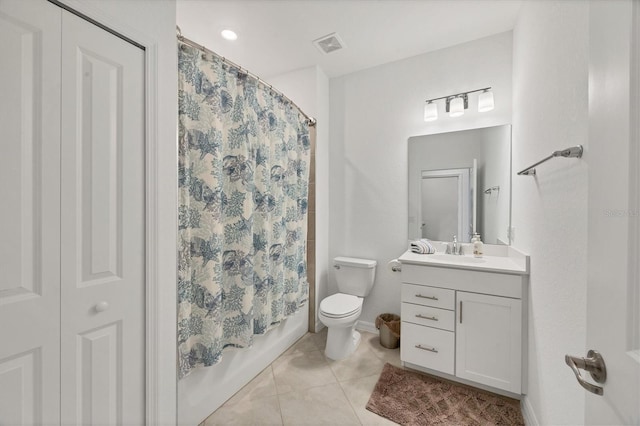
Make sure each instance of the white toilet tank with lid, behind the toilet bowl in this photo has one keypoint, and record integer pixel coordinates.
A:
(354, 276)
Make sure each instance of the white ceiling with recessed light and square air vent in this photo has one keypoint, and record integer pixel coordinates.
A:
(275, 36)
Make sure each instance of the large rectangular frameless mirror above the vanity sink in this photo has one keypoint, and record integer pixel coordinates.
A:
(460, 183)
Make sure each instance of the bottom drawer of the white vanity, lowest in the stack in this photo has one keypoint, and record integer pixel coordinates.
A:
(428, 347)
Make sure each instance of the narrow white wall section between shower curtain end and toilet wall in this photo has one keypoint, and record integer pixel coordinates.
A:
(309, 89)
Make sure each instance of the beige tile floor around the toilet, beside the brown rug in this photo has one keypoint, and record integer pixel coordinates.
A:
(303, 387)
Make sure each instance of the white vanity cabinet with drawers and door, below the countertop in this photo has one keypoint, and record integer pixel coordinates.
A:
(464, 324)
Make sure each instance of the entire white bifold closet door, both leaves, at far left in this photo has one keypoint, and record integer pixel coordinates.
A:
(81, 247)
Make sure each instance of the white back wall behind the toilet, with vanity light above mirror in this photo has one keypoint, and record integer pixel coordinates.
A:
(373, 113)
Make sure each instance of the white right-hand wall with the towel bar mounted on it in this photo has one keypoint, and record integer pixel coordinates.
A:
(550, 112)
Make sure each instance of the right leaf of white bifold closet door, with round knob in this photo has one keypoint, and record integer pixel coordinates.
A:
(103, 227)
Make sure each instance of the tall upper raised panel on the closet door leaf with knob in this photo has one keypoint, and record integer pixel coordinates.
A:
(101, 125)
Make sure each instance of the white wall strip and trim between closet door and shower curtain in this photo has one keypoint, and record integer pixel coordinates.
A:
(152, 23)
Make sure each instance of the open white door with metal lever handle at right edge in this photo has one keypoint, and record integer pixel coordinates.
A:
(613, 290)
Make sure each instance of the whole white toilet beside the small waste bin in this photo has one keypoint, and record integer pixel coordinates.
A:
(340, 312)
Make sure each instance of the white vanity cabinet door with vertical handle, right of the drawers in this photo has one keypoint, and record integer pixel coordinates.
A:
(489, 340)
